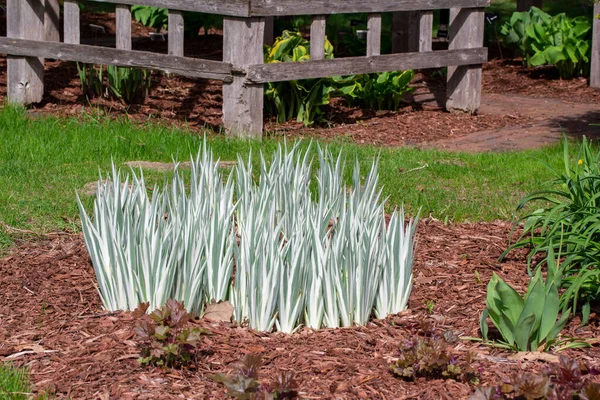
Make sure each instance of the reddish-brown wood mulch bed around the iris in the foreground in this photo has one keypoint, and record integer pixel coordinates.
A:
(50, 305)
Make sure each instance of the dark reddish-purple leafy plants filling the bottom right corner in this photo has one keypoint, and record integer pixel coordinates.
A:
(565, 380)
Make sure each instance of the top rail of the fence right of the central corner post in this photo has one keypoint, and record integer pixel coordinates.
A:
(317, 7)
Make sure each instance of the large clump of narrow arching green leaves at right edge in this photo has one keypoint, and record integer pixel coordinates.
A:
(568, 226)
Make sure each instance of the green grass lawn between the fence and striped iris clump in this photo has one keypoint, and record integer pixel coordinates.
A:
(44, 160)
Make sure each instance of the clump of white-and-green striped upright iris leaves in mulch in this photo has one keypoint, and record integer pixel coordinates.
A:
(322, 260)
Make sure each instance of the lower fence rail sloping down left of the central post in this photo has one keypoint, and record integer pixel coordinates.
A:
(125, 58)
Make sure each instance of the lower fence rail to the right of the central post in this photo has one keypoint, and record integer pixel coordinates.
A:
(363, 65)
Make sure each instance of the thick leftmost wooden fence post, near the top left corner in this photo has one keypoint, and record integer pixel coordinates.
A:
(25, 20)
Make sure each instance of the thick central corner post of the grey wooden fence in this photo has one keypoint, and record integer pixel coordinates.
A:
(243, 103)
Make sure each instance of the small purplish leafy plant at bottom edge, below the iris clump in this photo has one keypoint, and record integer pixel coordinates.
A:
(244, 384)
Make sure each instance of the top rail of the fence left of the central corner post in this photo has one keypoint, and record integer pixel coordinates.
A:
(236, 8)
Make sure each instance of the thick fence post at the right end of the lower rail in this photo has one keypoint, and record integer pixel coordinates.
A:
(464, 82)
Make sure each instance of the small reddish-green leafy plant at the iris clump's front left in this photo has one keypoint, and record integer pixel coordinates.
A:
(167, 338)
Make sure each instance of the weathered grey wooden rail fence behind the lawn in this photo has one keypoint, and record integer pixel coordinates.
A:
(32, 37)
